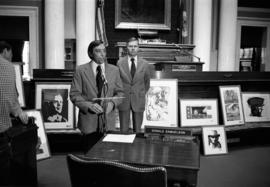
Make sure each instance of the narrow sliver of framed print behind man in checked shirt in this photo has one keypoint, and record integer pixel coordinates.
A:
(19, 84)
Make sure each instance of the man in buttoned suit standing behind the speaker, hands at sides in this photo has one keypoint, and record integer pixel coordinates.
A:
(135, 86)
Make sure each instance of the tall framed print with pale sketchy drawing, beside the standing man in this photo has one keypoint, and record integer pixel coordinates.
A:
(161, 103)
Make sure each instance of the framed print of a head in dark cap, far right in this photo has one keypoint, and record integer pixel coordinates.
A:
(256, 106)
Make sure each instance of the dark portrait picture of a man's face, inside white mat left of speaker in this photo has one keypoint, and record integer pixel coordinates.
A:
(55, 105)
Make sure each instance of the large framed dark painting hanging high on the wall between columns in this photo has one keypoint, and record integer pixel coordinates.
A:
(151, 14)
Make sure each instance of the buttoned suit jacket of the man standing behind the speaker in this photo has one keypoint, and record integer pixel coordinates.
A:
(135, 89)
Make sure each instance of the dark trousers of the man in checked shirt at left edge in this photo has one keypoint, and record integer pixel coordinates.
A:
(5, 159)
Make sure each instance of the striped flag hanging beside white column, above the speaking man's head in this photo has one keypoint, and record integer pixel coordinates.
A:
(100, 22)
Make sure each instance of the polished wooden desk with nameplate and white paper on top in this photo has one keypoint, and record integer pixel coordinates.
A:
(180, 159)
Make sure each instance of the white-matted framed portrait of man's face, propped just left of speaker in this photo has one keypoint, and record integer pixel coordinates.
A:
(56, 108)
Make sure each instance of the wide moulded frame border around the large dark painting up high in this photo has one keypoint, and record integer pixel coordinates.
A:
(166, 25)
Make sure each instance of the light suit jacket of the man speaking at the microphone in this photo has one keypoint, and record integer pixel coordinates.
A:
(84, 89)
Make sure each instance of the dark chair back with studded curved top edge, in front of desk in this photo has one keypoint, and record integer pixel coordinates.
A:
(104, 173)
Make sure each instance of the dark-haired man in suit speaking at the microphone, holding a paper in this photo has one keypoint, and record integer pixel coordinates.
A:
(96, 116)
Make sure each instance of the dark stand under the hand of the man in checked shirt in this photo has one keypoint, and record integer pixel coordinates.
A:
(23, 162)
